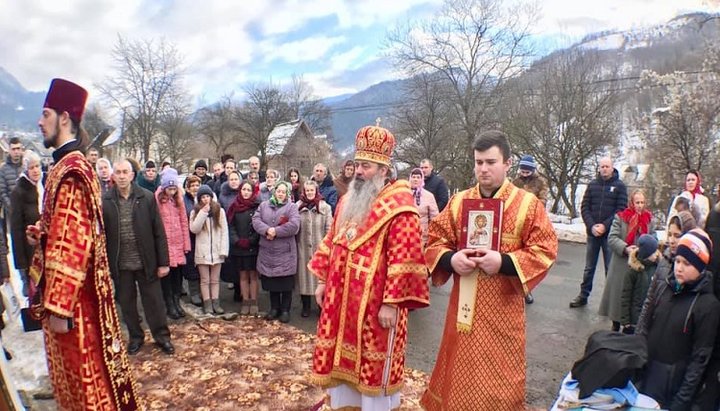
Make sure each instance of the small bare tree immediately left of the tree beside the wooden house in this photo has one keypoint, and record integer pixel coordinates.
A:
(219, 125)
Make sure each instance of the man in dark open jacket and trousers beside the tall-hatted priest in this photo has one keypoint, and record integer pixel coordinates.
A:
(137, 254)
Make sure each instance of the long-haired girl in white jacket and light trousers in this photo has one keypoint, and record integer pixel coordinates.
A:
(208, 223)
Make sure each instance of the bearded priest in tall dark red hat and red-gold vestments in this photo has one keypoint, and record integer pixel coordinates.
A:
(73, 294)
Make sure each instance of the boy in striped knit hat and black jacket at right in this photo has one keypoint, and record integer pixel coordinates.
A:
(682, 328)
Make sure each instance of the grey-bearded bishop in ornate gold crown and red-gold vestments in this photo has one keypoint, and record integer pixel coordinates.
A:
(371, 270)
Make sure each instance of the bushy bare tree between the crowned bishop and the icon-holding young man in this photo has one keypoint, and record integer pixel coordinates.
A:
(425, 124)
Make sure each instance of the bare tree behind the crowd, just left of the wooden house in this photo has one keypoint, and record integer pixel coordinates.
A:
(266, 106)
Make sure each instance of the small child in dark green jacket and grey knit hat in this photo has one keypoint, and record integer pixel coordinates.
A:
(643, 262)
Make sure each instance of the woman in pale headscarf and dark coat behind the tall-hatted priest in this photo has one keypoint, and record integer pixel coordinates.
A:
(25, 207)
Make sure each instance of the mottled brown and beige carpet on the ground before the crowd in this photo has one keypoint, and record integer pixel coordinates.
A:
(246, 364)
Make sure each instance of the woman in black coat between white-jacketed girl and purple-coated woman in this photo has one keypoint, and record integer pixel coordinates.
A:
(244, 245)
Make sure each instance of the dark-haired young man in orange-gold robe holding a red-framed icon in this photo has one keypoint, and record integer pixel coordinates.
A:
(481, 362)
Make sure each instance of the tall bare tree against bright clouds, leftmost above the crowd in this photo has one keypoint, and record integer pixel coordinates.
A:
(145, 85)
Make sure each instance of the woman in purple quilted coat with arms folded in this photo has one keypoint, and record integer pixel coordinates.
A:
(277, 221)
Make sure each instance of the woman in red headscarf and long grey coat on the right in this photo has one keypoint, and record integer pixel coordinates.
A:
(627, 227)
